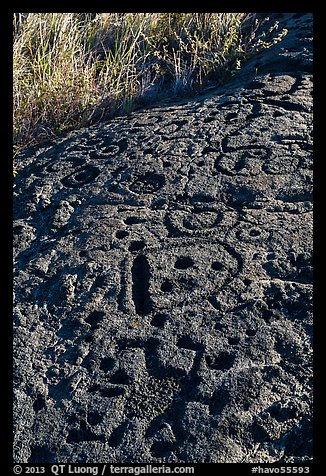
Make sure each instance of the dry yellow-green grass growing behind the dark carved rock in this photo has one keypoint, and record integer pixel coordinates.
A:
(73, 69)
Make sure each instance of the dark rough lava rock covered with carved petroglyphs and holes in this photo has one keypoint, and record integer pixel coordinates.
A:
(163, 277)
